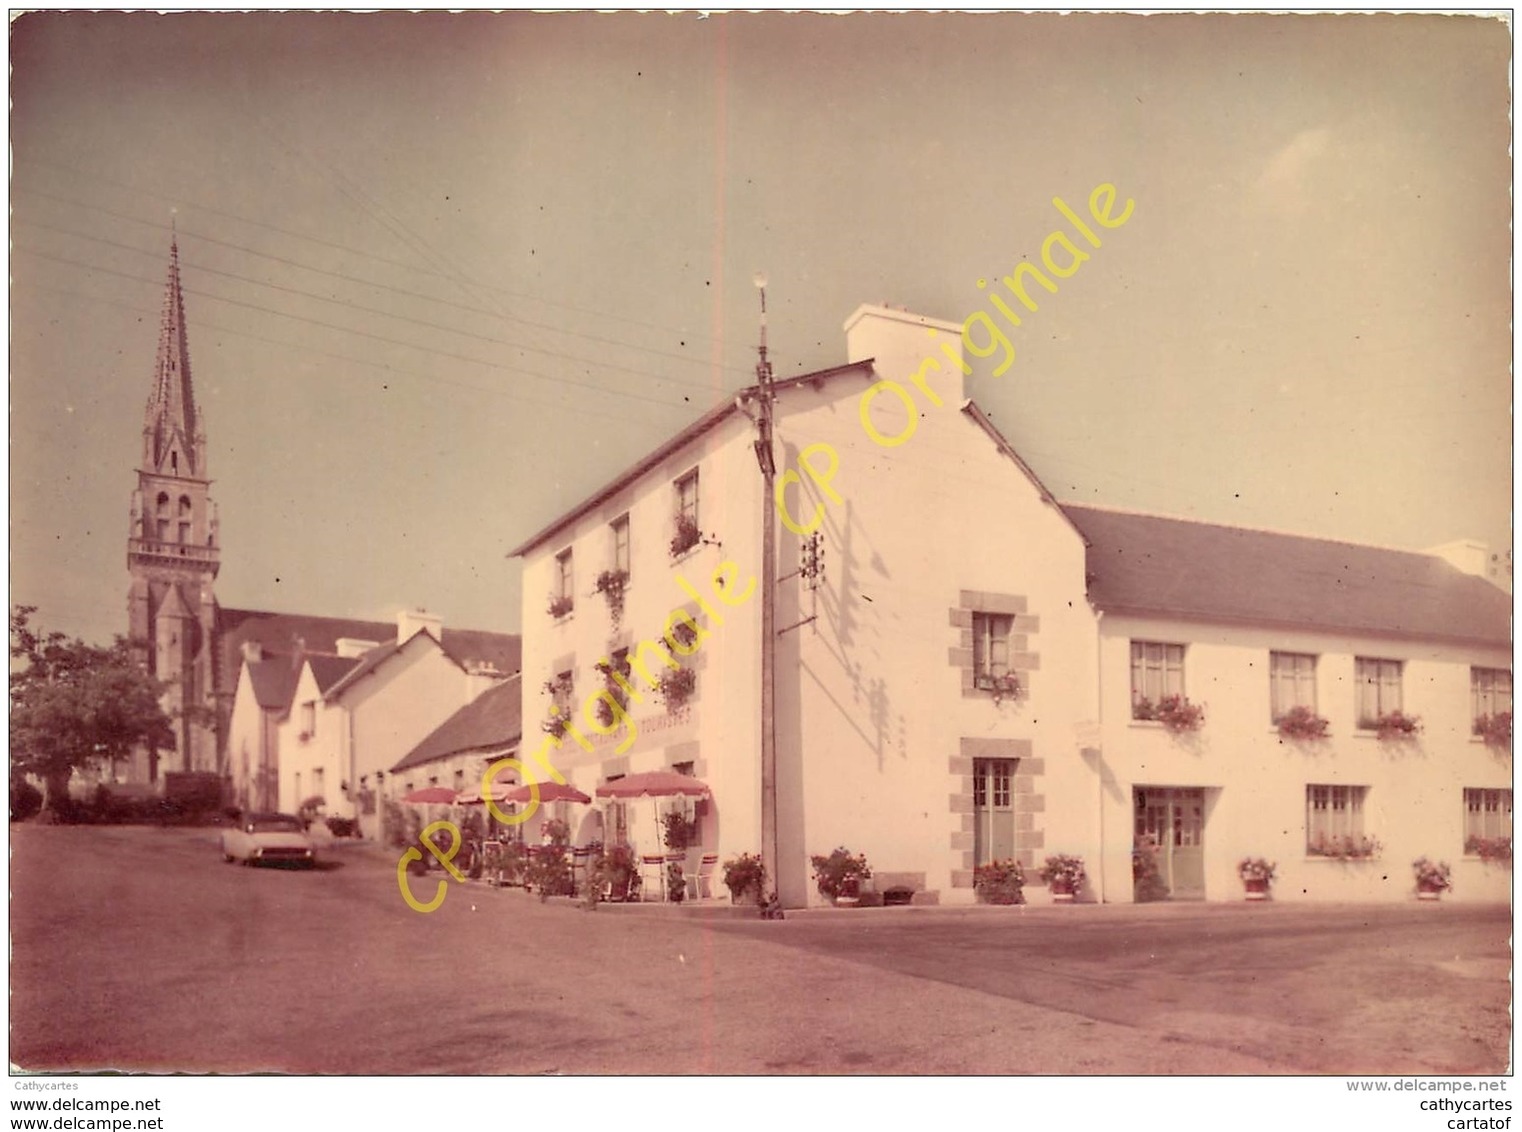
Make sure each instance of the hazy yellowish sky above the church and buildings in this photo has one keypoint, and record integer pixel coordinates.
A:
(448, 275)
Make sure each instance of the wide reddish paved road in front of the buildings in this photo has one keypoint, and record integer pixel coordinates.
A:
(138, 949)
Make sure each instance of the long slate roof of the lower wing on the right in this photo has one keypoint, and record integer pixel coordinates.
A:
(1141, 564)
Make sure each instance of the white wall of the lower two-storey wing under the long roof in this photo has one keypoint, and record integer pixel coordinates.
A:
(1258, 803)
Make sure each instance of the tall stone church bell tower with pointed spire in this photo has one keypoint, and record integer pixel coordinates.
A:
(173, 550)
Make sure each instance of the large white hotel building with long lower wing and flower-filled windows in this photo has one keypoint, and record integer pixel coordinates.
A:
(963, 679)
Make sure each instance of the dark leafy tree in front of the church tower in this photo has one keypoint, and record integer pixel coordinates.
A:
(75, 705)
